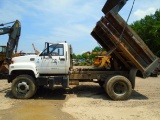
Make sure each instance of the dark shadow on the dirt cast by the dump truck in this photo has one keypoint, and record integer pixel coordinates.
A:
(89, 91)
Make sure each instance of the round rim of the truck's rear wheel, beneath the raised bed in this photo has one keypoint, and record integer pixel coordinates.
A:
(120, 88)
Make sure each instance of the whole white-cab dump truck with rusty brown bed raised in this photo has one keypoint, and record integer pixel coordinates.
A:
(53, 66)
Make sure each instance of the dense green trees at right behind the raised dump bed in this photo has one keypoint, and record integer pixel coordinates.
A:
(148, 29)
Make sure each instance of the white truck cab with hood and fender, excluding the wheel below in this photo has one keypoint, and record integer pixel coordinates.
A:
(54, 59)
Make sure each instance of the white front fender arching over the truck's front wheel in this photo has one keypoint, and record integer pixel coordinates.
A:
(23, 66)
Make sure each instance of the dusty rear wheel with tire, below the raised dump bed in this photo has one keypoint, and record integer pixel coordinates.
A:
(118, 87)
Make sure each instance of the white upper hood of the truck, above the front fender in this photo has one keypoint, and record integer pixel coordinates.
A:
(27, 58)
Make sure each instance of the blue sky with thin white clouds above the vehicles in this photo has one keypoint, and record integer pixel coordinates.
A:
(63, 20)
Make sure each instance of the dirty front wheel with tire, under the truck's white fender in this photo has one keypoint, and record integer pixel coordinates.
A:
(23, 87)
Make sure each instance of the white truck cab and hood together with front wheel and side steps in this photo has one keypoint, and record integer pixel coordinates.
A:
(50, 67)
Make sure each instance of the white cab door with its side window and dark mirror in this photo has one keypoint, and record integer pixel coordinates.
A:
(52, 61)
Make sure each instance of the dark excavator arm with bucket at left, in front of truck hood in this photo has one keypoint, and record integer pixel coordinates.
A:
(14, 33)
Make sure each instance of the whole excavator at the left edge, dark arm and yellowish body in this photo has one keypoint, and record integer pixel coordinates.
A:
(7, 52)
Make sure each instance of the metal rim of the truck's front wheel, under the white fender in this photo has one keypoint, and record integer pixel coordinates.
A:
(22, 87)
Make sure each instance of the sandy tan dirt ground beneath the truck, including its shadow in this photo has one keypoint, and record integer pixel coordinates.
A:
(85, 102)
